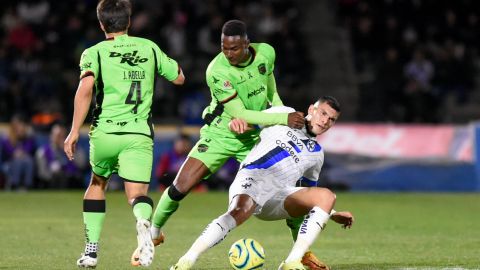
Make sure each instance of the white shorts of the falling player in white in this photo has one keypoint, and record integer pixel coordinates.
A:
(270, 197)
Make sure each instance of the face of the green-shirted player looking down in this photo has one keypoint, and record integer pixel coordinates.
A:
(235, 49)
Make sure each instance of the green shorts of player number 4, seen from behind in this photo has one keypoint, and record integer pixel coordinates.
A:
(129, 155)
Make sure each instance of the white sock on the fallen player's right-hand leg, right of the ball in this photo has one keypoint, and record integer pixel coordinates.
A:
(312, 225)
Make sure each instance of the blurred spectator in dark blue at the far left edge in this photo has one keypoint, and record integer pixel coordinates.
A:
(17, 150)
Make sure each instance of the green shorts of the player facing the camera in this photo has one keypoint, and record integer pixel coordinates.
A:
(214, 149)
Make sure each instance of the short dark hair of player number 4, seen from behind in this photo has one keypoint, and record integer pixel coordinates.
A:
(114, 15)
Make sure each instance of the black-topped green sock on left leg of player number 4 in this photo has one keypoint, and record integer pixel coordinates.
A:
(93, 217)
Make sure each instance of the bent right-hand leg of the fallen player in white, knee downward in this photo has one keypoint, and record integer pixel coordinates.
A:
(317, 204)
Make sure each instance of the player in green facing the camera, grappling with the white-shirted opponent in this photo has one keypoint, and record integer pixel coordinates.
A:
(242, 84)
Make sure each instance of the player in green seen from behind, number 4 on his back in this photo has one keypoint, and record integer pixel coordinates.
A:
(122, 69)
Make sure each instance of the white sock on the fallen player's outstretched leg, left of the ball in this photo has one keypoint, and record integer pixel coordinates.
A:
(213, 234)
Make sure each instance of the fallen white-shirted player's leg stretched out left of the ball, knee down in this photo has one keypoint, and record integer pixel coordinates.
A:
(241, 208)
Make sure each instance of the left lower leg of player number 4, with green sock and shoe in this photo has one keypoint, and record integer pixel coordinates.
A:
(93, 218)
